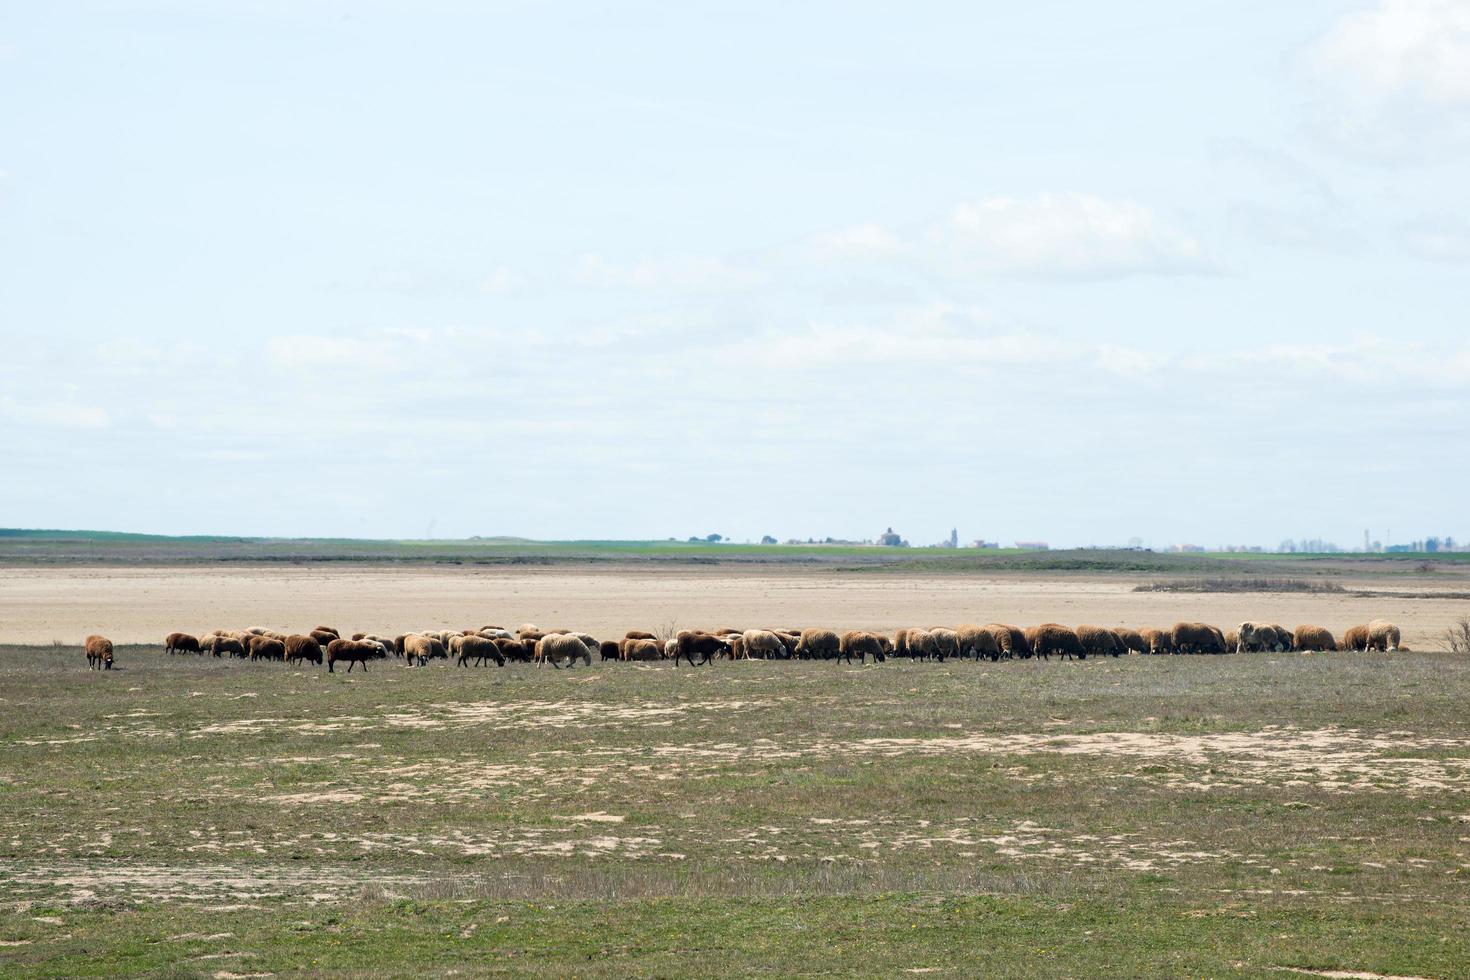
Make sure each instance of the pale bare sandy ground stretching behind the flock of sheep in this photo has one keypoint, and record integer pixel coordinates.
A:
(142, 605)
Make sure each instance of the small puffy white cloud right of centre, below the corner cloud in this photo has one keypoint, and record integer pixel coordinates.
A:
(1072, 236)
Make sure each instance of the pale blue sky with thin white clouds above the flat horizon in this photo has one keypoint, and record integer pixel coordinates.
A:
(1183, 271)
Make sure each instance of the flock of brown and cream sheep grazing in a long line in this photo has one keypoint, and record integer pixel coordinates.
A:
(531, 644)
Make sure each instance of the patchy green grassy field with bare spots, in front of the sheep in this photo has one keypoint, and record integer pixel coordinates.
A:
(1202, 816)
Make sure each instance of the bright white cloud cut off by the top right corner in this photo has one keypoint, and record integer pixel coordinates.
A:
(1419, 48)
